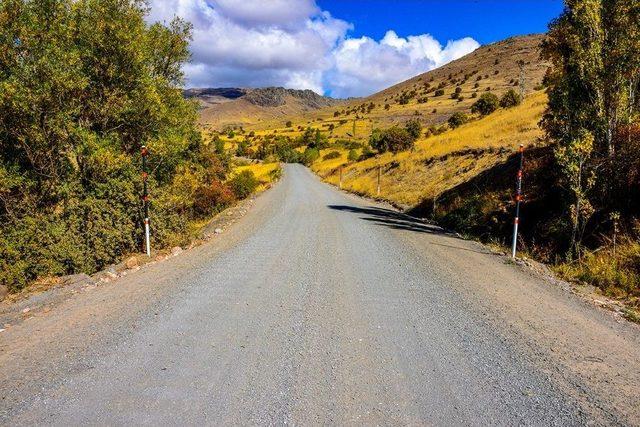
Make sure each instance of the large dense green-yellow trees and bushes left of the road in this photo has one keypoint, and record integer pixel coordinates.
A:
(83, 85)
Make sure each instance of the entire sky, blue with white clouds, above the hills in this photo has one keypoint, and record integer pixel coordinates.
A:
(340, 48)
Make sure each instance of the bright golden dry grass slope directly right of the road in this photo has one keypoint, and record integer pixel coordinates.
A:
(440, 162)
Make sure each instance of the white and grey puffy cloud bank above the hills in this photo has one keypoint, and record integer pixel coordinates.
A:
(295, 44)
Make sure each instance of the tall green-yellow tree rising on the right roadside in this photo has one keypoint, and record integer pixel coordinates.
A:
(592, 88)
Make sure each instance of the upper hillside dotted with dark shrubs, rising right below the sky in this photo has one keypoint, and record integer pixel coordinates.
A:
(493, 67)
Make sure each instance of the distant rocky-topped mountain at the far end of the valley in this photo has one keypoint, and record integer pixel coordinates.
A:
(221, 107)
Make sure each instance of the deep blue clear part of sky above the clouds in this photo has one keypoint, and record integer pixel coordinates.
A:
(486, 21)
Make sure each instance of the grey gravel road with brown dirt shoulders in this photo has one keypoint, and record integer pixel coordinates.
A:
(318, 307)
